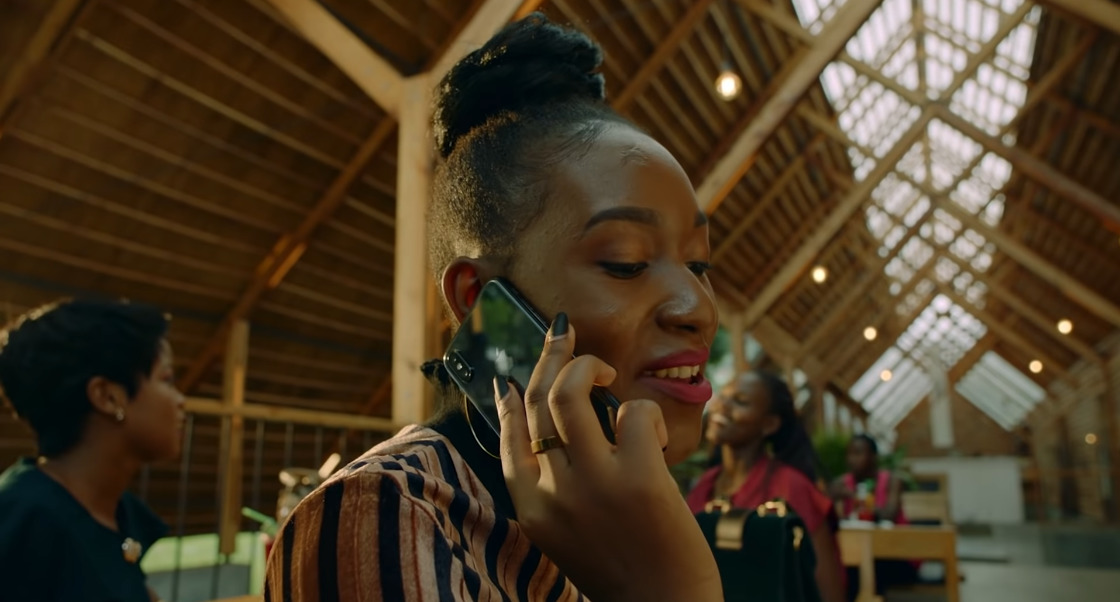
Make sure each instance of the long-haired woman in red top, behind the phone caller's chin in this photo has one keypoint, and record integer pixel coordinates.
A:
(767, 454)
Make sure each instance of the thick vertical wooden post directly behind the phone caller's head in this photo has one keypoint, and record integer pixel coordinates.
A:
(412, 278)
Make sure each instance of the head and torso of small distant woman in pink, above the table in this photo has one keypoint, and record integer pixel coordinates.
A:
(876, 485)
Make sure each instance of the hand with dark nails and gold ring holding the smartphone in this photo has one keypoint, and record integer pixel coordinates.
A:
(610, 516)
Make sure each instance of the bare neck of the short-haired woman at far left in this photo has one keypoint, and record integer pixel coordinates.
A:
(96, 477)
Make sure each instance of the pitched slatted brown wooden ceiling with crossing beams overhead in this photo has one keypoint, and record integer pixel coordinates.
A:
(212, 158)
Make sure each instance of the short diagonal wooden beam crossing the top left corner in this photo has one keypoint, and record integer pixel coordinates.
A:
(32, 58)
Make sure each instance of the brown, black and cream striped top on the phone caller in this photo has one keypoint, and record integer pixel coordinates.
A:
(410, 521)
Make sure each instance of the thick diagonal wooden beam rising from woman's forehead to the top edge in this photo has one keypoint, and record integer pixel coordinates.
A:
(770, 114)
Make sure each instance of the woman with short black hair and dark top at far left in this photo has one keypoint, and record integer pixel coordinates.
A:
(95, 381)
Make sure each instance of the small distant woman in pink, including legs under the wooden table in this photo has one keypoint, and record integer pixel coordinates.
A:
(871, 493)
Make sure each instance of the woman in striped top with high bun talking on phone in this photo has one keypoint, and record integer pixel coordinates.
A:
(598, 227)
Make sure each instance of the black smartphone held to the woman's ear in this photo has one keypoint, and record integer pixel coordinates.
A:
(503, 337)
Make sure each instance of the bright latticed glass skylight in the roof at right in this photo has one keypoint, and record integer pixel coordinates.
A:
(927, 46)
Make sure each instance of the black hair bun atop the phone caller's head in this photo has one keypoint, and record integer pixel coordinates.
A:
(529, 63)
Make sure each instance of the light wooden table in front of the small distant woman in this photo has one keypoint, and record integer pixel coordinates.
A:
(862, 547)
